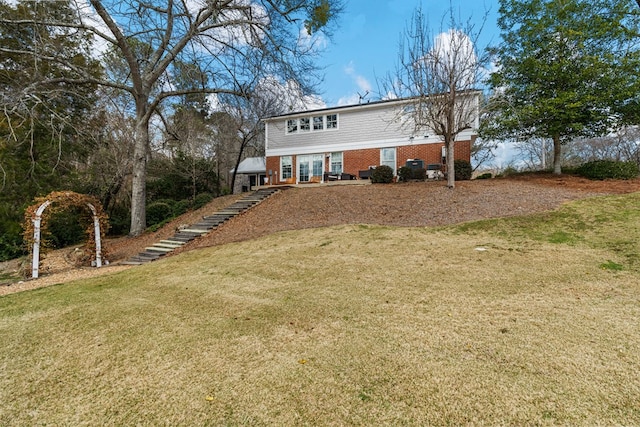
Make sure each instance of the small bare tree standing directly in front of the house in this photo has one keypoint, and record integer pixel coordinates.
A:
(440, 74)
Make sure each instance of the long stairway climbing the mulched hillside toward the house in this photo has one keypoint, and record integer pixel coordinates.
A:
(208, 224)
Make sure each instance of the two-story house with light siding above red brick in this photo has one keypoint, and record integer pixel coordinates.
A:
(345, 142)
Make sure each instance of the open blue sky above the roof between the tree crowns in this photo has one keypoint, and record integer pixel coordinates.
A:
(364, 48)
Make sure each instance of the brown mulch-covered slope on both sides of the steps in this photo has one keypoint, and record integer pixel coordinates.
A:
(405, 204)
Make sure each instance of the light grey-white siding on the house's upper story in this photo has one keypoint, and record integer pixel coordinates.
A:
(374, 125)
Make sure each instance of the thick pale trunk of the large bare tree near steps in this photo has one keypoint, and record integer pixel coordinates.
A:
(138, 185)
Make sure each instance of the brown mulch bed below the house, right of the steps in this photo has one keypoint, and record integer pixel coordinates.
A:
(408, 204)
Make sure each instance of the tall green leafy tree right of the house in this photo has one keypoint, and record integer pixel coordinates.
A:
(565, 69)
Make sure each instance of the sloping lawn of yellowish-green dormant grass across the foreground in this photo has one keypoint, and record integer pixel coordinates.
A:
(352, 325)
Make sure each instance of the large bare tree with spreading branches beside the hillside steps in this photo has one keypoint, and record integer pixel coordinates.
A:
(233, 42)
